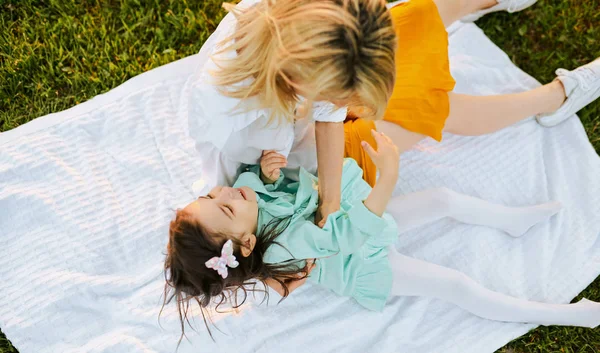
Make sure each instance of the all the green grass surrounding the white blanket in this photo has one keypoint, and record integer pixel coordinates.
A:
(55, 54)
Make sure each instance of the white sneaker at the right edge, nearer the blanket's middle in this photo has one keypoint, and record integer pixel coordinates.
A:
(582, 86)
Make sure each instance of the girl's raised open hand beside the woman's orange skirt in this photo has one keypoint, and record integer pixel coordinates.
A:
(386, 158)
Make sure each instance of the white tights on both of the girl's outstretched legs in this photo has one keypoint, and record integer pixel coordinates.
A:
(414, 277)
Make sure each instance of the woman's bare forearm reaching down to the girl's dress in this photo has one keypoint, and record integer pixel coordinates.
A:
(330, 158)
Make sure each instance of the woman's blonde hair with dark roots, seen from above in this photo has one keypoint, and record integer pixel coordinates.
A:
(340, 49)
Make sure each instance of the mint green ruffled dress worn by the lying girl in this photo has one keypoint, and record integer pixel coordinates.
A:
(351, 249)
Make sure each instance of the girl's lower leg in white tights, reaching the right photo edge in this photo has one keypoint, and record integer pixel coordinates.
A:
(412, 277)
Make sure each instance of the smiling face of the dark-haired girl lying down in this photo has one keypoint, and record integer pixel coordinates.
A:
(229, 213)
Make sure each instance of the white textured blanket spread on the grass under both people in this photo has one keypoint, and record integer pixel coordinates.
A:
(86, 196)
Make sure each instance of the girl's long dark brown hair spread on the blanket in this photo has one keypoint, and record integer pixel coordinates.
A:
(188, 280)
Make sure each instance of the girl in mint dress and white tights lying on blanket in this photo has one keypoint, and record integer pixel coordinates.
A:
(263, 229)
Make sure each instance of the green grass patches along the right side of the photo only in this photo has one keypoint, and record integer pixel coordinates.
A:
(549, 35)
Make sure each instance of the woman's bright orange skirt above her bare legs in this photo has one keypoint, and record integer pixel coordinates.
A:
(419, 102)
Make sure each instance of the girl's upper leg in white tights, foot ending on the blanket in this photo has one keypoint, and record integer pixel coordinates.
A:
(419, 208)
